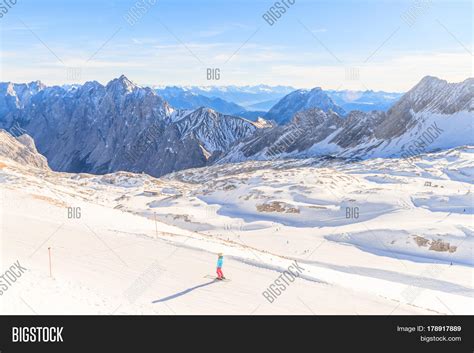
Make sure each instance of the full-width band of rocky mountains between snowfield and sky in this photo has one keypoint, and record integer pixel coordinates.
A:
(121, 126)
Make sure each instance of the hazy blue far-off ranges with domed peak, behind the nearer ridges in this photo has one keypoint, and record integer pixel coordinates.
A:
(252, 102)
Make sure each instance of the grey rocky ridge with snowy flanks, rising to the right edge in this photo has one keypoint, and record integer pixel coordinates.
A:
(369, 134)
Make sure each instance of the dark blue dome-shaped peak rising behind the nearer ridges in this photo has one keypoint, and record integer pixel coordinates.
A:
(301, 100)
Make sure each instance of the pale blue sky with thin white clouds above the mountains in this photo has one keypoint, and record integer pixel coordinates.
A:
(315, 43)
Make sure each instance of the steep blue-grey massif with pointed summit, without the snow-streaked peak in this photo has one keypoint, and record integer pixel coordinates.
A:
(89, 128)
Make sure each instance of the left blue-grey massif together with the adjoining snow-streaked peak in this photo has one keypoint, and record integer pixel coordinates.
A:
(120, 126)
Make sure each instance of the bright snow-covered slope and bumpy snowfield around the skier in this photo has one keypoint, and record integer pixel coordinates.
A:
(381, 236)
